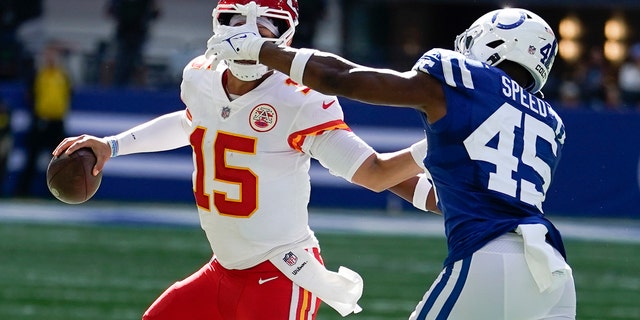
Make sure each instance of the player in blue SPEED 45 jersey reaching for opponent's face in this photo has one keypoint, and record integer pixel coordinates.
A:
(493, 146)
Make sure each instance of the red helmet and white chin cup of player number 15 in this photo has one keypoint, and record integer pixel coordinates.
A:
(283, 14)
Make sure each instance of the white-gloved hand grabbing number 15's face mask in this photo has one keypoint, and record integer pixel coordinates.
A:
(237, 43)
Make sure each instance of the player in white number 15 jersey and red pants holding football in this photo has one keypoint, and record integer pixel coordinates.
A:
(253, 131)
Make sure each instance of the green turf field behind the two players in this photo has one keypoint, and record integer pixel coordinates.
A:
(72, 272)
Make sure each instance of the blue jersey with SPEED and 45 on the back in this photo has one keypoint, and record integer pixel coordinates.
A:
(492, 156)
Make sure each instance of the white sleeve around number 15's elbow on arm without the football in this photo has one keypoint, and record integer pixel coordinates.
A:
(340, 151)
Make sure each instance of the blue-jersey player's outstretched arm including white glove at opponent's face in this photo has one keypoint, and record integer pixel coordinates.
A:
(332, 74)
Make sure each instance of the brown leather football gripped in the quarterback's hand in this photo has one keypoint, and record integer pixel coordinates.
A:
(69, 177)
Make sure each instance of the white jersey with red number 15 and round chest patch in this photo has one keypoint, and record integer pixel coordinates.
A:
(250, 178)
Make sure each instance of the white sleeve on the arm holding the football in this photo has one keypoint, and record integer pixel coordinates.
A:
(167, 132)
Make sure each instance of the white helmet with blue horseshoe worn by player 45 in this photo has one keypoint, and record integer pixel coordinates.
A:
(512, 34)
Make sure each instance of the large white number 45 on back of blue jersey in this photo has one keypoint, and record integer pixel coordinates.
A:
(503, 123)
